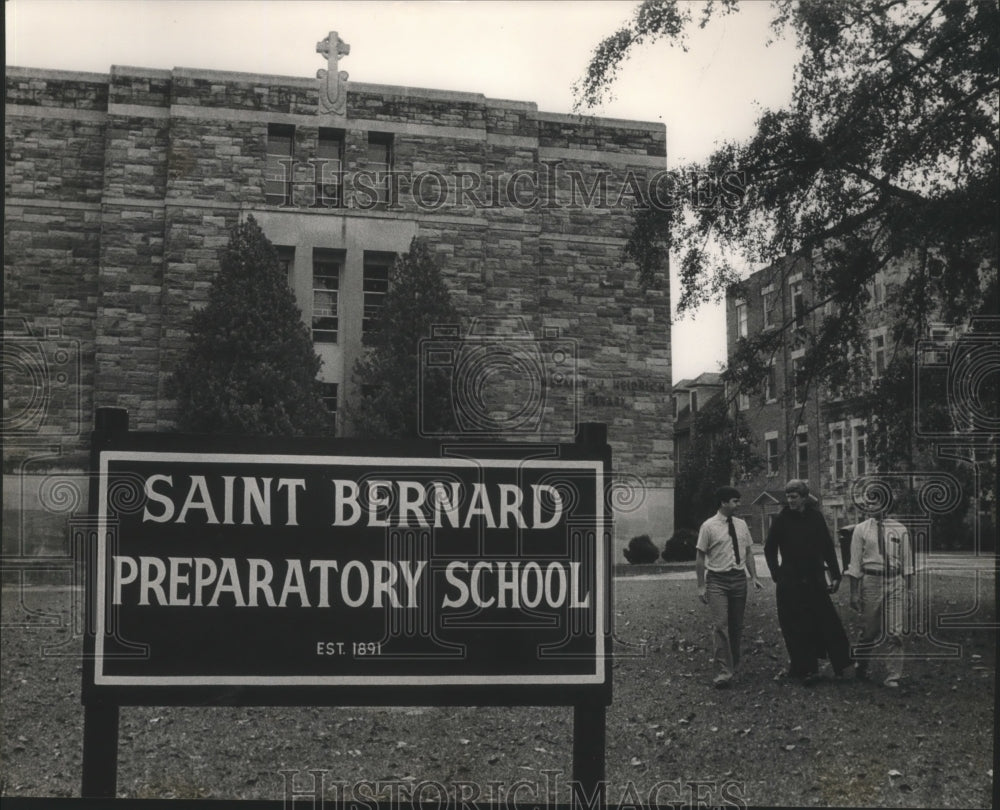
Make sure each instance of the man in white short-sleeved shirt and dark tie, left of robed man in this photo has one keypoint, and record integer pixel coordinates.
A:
(724, 550)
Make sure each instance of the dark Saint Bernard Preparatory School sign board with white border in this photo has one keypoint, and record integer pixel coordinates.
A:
(349, 571)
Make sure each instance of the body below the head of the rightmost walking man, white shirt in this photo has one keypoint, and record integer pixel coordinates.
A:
(881, 572)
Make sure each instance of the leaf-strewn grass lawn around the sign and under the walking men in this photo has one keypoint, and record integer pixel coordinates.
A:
(766, 742)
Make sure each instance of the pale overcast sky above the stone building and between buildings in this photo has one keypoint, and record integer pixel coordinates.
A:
(525, 50)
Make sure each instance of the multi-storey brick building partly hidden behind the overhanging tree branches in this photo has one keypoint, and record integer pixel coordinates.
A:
(808, 432)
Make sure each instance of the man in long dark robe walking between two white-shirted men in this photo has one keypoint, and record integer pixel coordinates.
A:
(797, 548)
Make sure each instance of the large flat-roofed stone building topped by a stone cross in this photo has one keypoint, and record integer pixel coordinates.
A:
(121, 189)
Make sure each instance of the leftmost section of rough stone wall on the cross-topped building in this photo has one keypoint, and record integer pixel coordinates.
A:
(54, 166)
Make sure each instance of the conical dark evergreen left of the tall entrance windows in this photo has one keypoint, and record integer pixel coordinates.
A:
(251, 367)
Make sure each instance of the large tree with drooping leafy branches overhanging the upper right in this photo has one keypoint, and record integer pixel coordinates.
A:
(887, 154)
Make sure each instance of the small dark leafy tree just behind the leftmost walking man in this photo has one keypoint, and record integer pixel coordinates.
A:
(721, 451)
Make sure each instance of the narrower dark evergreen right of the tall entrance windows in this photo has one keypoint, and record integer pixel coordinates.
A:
(401, 398)
